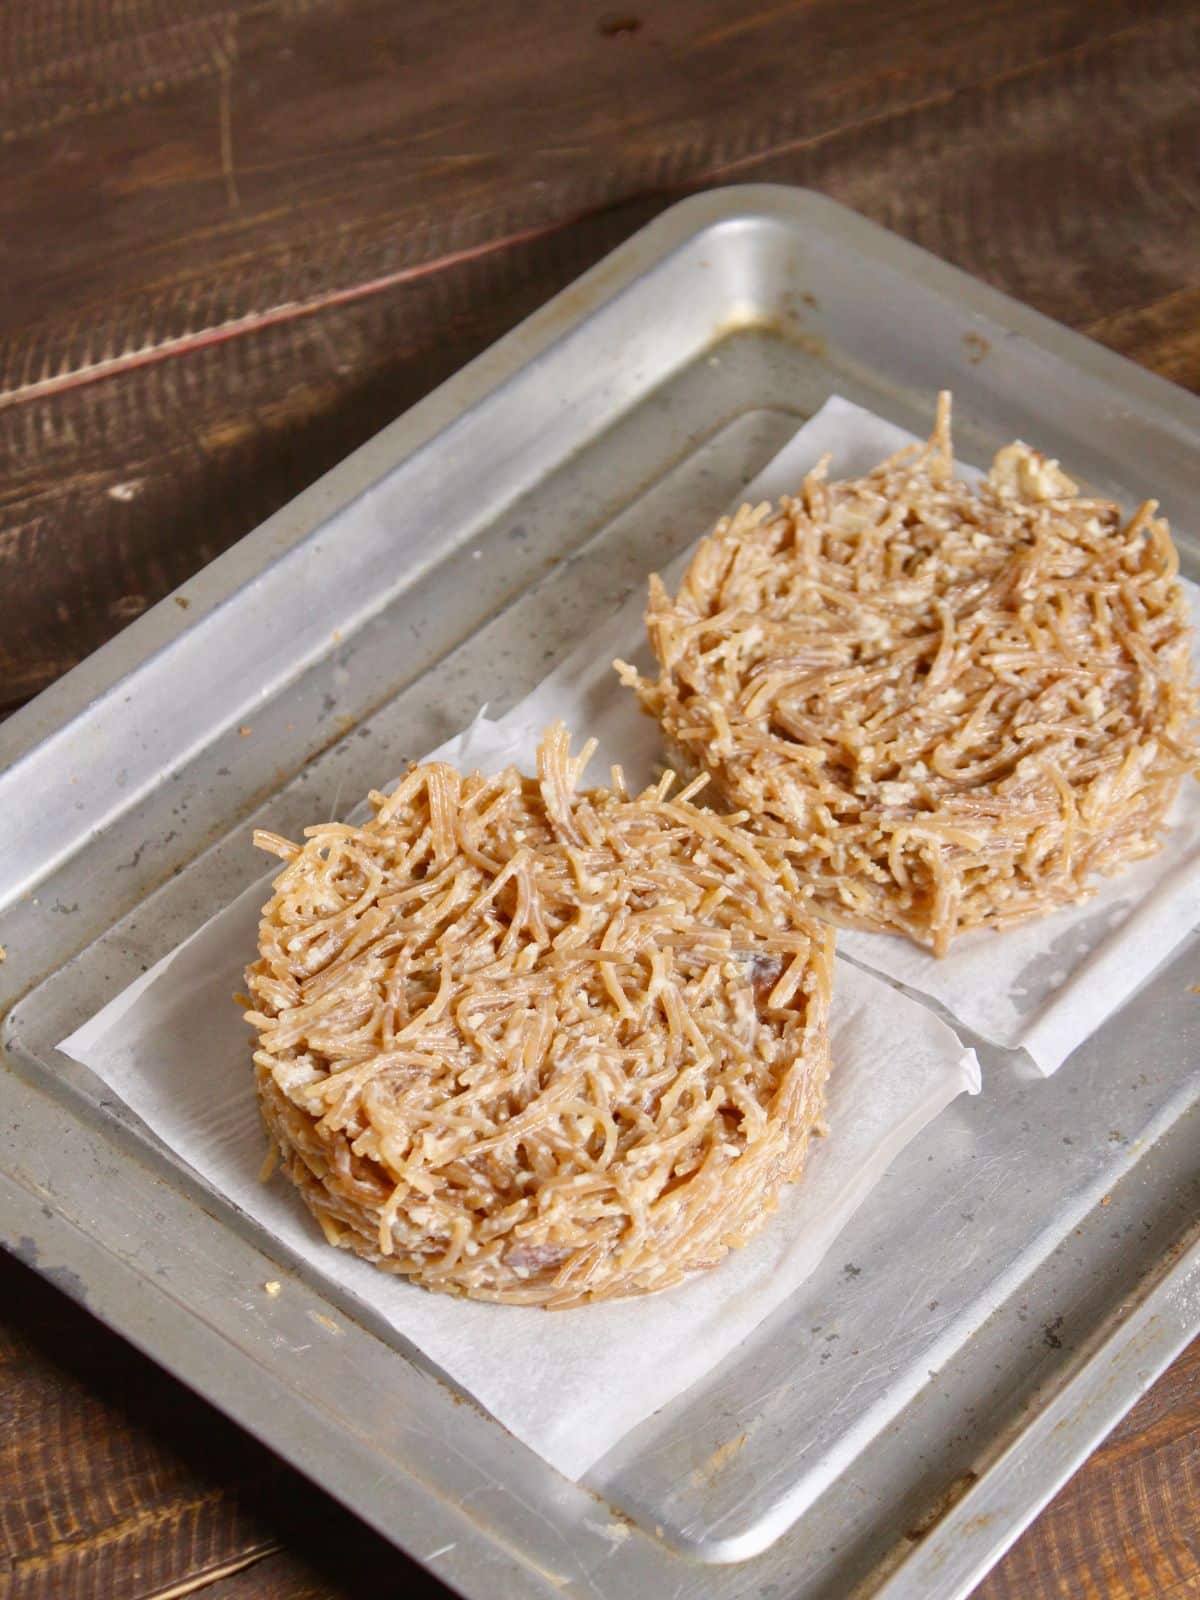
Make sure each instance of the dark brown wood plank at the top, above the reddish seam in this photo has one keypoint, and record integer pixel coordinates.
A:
(190, 170)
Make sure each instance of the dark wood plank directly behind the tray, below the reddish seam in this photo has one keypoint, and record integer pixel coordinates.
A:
(116, 492)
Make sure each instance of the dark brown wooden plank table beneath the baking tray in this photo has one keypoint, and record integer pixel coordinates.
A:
(241, 236)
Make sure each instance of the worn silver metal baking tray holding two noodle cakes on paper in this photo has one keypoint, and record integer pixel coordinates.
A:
(1028, 1266)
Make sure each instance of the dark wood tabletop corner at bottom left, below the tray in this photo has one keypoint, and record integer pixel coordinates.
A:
(118, 1484)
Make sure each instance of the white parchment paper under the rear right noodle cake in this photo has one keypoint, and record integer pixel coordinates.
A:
(1042, 988)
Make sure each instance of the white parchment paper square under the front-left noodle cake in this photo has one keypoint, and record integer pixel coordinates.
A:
(570, 1385)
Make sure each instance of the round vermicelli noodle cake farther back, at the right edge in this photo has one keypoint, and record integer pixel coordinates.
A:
(956, 706)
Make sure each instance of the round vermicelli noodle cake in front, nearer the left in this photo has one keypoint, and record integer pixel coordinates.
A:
(535, 1044)
